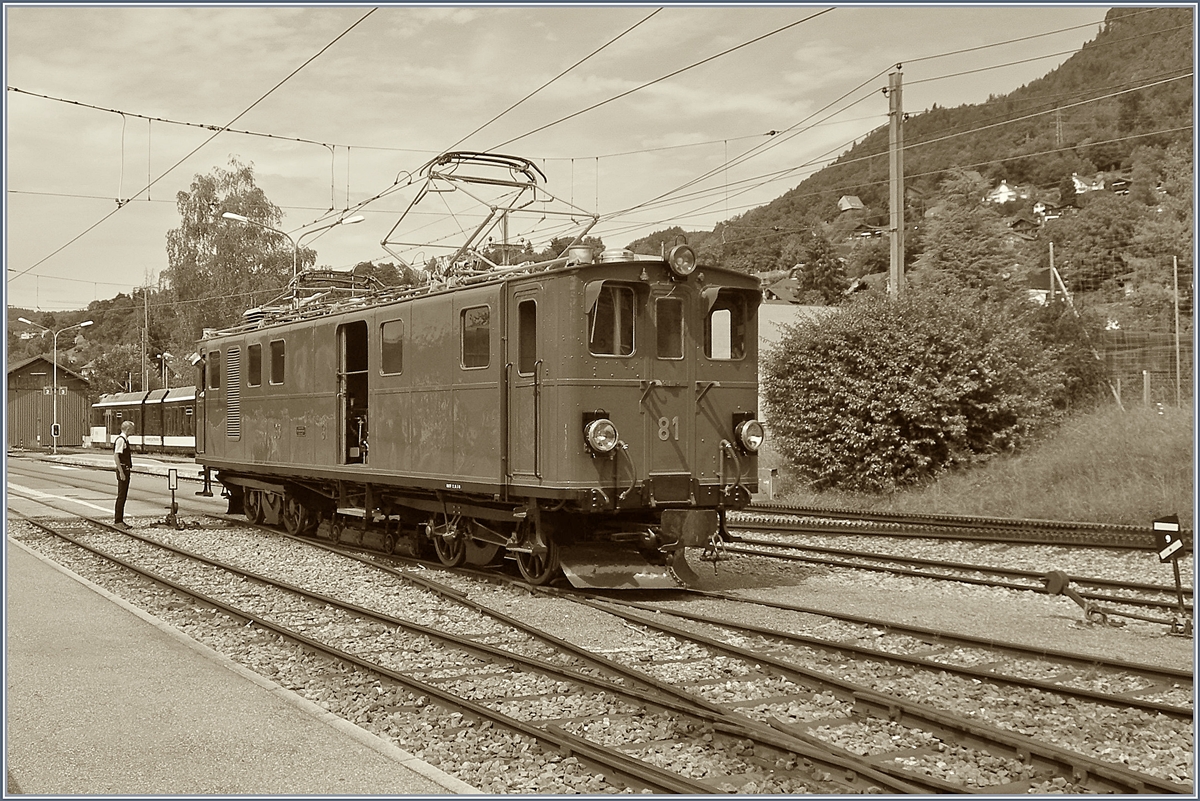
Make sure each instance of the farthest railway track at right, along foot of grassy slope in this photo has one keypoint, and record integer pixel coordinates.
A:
(770, 517)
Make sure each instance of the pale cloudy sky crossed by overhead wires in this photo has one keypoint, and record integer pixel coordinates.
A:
(113, 111)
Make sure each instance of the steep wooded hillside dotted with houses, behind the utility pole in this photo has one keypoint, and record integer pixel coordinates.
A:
(1118, 115)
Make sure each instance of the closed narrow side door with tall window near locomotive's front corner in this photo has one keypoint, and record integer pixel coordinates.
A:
(525, 375)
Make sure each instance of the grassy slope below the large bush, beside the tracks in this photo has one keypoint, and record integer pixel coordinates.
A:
(1107, 466)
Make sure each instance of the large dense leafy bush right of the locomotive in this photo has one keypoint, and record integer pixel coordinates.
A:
(886, 395)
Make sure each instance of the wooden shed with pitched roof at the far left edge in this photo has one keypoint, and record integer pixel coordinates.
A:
(32, 405)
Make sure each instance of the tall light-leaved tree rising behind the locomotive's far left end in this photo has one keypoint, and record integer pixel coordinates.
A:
(219, 268)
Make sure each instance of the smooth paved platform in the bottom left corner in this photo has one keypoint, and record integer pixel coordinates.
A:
(104, 700)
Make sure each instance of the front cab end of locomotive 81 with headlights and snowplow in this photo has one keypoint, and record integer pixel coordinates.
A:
(647, 400)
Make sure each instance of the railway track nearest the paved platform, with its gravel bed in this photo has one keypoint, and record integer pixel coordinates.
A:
(536, 697)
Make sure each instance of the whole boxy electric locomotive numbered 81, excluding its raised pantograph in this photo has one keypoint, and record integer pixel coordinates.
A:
(593, 415)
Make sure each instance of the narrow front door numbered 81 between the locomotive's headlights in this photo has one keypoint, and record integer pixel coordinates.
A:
(667, 399)
